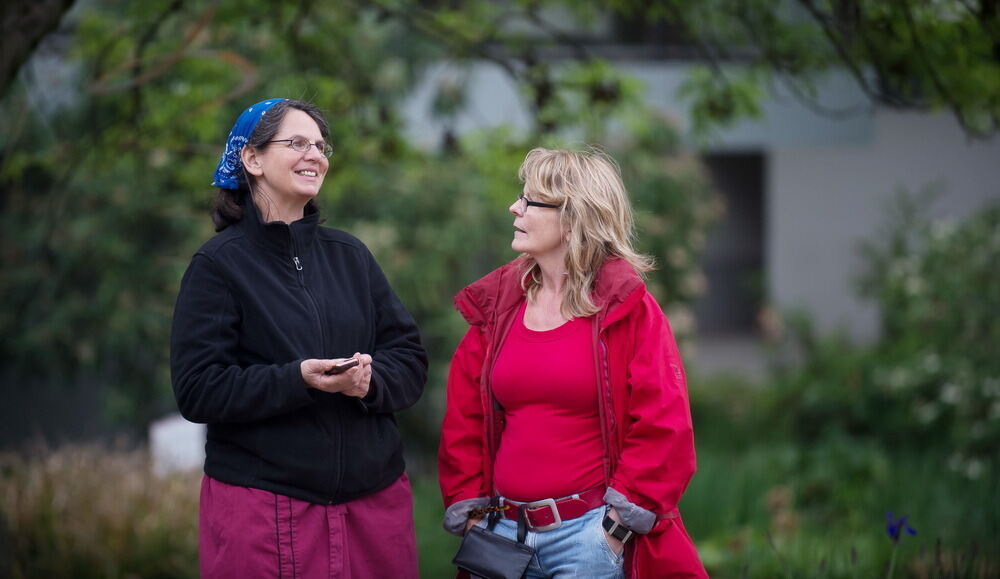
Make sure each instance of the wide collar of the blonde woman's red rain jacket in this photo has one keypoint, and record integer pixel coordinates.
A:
(484, 300)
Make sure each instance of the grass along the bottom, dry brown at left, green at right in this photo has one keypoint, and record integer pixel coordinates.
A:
(764, 509)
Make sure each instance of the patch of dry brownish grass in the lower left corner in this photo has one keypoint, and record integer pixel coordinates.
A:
(89, 513)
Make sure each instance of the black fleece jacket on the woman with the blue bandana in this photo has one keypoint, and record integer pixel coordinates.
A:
(257, 299)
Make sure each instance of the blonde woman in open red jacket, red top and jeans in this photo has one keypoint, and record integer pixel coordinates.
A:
(567, 394)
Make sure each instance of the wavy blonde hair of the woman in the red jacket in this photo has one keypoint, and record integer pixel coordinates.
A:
(596, 213)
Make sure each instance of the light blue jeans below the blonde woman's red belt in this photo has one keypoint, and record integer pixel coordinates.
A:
(576, 549)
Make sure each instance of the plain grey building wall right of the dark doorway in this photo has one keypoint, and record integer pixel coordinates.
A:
(823, 201)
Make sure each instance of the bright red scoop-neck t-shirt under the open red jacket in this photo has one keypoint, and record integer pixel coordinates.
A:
(547, 385)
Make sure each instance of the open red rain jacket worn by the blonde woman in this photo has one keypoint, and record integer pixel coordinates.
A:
(645, 415)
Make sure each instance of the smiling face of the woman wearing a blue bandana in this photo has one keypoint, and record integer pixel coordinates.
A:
(284, 175)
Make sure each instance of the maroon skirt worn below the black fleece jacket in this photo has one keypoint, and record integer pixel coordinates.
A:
(249, 533)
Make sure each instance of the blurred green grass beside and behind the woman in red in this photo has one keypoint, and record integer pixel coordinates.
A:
(777, 510)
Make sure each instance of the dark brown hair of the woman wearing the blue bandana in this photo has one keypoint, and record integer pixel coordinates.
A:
(228, 207)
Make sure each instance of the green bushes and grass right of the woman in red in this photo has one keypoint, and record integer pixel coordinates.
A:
(796, 473)
